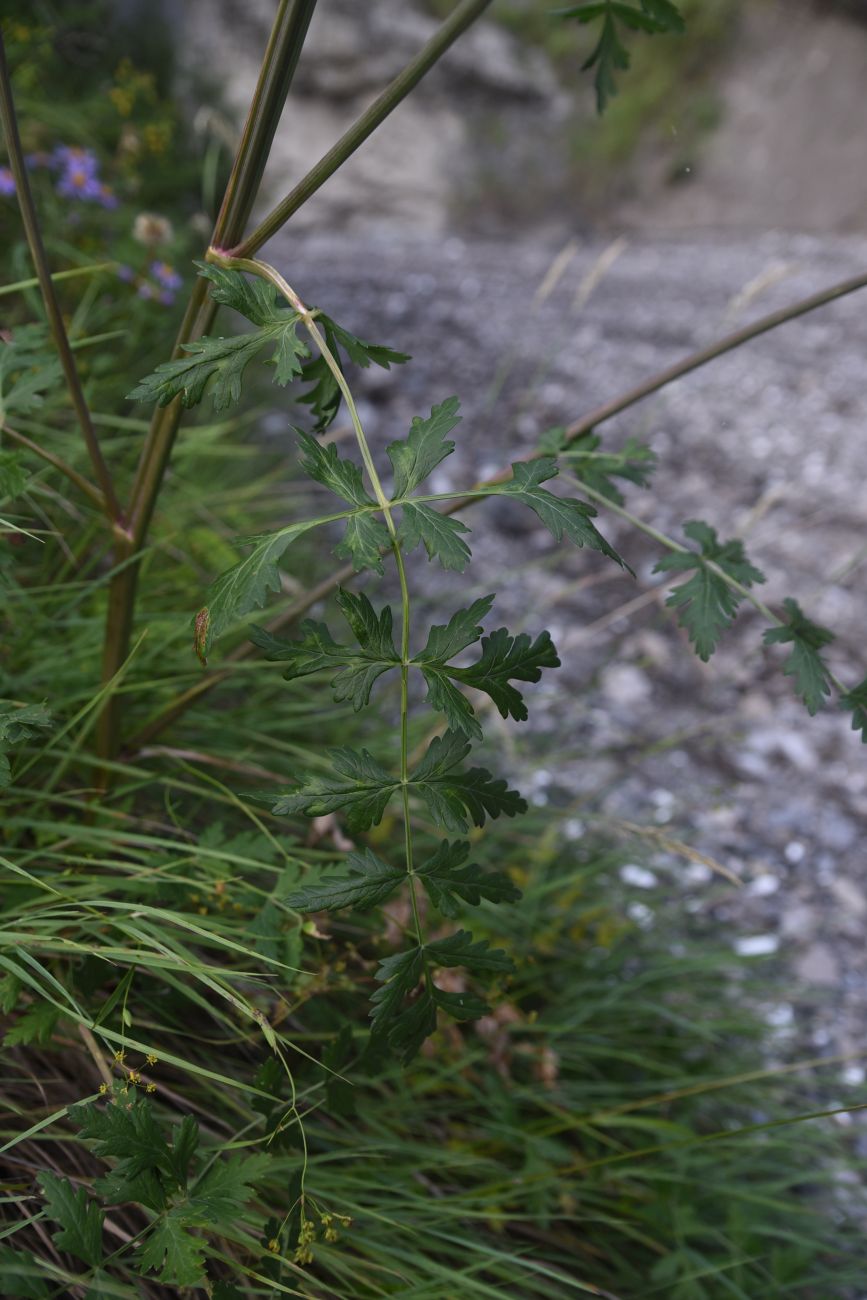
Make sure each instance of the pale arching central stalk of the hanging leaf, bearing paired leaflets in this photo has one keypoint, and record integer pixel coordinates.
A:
(270, 274)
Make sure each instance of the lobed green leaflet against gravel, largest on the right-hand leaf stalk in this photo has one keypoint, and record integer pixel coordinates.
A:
(706, 603)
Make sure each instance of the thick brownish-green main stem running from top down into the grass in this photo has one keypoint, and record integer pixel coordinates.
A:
(275, 80)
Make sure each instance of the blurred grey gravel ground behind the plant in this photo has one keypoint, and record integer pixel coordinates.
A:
(769, 443)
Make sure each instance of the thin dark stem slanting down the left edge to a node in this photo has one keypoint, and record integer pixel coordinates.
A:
(33, 232)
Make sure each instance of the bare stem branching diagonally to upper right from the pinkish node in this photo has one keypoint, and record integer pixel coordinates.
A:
(392, 97)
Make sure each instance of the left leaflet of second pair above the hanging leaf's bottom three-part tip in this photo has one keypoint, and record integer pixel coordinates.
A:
(362, 791)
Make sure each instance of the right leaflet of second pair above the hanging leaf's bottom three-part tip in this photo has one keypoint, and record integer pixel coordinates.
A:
(457, 798)
